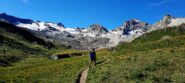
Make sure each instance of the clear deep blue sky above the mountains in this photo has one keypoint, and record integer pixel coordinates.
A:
(82, 13)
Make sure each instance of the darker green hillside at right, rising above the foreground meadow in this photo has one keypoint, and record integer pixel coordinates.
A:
(154, 40)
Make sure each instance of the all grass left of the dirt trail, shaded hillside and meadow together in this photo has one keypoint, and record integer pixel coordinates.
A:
(25, 61)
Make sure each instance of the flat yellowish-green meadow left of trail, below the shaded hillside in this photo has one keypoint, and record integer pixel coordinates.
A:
(41, 69)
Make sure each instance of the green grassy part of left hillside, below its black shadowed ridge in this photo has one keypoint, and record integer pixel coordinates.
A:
(13, 47)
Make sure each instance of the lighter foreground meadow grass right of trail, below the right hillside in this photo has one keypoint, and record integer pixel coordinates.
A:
(160, 65)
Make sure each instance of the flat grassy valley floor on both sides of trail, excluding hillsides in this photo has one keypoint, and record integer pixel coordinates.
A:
(159, 65)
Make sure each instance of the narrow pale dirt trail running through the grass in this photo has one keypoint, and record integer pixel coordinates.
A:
(83, 75)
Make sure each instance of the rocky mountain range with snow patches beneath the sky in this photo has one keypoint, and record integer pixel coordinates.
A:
(94, 36)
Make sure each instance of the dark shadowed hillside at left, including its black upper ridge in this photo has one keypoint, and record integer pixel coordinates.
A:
(17, 43)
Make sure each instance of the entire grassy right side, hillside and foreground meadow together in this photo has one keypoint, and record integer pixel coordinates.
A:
(158, 56)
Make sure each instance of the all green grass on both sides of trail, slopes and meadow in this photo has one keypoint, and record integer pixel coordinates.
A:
(157, 57)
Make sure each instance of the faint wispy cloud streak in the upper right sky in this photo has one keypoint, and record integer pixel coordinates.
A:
(156, 4)
